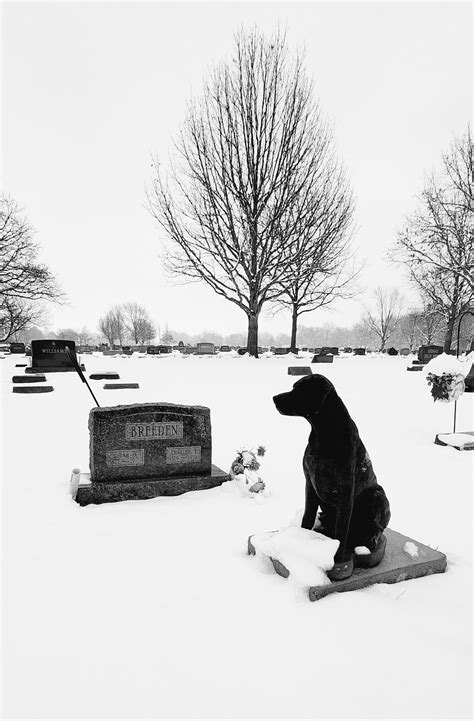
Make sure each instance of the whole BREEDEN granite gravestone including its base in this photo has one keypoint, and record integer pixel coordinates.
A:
(147, 450)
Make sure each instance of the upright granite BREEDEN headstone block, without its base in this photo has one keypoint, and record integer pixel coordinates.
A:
(149, 440)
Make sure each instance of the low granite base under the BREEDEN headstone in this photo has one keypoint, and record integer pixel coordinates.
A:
(112, 491)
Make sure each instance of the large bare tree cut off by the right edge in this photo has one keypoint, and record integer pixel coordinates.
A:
(437, 245)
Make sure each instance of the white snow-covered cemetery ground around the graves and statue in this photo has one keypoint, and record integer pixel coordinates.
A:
(152, 609)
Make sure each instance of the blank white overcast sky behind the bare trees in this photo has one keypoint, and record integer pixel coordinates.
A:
(89, 90)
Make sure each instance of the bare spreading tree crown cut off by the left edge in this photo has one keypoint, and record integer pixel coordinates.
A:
(22, 276)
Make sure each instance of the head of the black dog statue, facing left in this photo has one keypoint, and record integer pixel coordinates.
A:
(306, 398)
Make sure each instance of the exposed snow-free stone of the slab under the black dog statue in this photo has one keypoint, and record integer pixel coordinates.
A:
(397, 565)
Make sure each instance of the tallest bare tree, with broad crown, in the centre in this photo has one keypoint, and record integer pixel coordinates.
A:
(253, 161)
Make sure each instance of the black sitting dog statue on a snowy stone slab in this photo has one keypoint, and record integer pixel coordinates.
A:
(340, 480)
